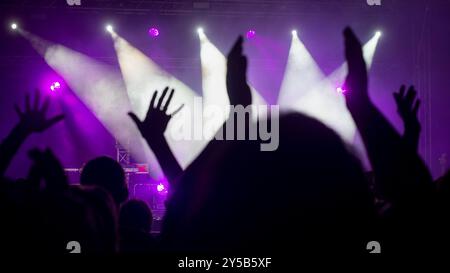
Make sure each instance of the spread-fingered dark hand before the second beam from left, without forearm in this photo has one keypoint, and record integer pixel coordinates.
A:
(156, 120)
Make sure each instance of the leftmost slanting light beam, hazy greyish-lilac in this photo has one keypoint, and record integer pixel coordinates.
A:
(98, 86)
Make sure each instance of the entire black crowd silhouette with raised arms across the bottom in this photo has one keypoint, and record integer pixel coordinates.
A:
(311, 193)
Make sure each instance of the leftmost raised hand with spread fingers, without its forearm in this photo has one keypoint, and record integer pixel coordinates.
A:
(34, 119)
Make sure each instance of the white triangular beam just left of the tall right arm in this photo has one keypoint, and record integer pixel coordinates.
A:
(305, 89)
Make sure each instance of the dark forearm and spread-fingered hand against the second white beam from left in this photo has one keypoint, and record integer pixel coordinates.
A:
(152, 129)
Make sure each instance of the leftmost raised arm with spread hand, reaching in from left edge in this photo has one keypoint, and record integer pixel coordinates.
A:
(32, 120)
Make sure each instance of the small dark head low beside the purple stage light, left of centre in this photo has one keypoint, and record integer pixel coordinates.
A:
(135, 215)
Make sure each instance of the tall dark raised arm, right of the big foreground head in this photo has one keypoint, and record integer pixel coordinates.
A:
(400, 173)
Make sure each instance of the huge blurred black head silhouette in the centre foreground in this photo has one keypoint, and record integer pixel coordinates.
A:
(311, 183)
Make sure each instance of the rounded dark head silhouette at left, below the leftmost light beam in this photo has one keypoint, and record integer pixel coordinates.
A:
(106, 173)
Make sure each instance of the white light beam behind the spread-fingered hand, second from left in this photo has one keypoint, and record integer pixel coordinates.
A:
(142, 76)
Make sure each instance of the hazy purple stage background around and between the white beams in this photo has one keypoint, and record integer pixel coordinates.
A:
(406, 25)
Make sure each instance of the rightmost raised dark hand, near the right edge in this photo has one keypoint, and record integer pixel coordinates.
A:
(408, 106)
